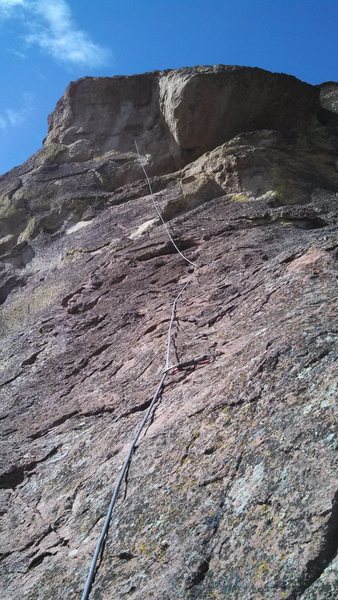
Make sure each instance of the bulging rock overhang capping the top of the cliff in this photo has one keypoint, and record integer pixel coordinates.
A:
(181, 113)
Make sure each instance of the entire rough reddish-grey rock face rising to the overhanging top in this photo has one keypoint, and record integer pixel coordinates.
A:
(233, 490)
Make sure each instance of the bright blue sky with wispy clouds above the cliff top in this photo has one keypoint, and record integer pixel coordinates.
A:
(47, 43)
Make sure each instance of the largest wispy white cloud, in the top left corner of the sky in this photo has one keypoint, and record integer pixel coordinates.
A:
(51, 27)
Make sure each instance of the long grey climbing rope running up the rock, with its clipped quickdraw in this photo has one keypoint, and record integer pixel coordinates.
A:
(168, 370)
